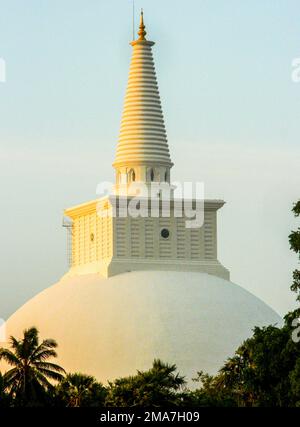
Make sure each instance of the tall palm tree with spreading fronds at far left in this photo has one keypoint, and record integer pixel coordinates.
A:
(31, 374)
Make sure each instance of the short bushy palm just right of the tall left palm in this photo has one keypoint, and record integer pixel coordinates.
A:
(77, 390)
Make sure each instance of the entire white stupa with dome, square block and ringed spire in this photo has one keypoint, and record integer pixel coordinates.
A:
(143, 287)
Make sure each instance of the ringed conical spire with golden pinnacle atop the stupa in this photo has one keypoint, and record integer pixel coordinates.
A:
(143, 139)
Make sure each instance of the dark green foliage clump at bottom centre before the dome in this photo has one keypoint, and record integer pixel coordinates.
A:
(159, 386)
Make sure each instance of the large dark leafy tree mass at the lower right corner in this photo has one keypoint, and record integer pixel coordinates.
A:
(264, 371)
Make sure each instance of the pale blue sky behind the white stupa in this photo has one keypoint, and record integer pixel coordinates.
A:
(232, 115)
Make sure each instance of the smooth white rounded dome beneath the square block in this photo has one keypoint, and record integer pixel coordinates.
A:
(112, 327)
